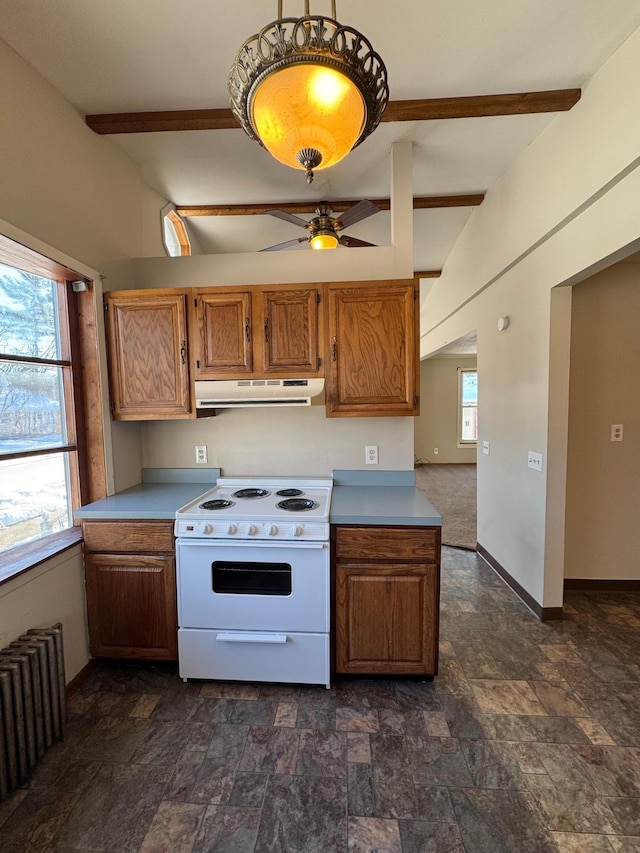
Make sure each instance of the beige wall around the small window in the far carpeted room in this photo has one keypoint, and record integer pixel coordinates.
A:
(437, 425)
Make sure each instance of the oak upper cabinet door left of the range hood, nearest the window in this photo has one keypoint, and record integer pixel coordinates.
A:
(149, 371)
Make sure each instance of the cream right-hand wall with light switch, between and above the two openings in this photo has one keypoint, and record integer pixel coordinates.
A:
(569, 206)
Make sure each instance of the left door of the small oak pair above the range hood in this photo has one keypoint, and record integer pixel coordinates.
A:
(223, 339)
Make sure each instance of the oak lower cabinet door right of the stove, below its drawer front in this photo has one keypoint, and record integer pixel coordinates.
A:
(386, 619)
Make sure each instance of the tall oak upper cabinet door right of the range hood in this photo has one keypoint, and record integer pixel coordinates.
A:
(372, 336)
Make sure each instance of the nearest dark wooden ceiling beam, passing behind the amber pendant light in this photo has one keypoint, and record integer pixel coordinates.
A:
(429, 109)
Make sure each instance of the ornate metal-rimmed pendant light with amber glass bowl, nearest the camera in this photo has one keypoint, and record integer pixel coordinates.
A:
(308, 89)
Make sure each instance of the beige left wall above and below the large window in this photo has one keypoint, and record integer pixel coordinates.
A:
(74, 197)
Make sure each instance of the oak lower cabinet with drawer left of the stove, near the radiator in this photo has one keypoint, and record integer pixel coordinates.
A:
(131, 589)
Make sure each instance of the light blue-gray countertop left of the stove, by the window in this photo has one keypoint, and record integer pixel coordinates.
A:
(162, 492)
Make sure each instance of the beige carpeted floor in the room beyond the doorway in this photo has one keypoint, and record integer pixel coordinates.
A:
(452, 491)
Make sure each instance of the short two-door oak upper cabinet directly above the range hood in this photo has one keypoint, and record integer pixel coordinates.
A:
(257, 332)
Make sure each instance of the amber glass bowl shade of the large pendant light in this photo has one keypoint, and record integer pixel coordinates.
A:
(308, 106)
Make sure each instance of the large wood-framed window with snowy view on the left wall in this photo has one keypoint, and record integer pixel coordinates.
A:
(41, 437)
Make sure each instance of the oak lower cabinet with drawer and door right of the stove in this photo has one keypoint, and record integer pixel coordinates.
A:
(387, 590)
